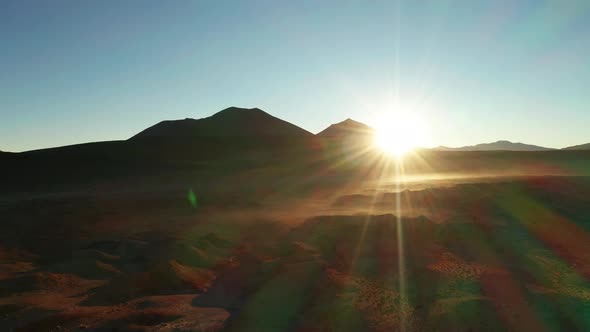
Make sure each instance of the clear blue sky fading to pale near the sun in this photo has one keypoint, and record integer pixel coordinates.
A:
(475, 71)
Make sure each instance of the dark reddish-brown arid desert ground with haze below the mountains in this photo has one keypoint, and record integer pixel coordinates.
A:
(316, 238)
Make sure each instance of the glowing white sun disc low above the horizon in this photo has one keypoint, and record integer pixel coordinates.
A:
(398, 134)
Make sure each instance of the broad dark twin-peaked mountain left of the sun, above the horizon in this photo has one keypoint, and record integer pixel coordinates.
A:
(230, 122)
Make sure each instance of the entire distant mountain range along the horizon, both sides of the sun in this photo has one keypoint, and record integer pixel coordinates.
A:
(241, 123)
